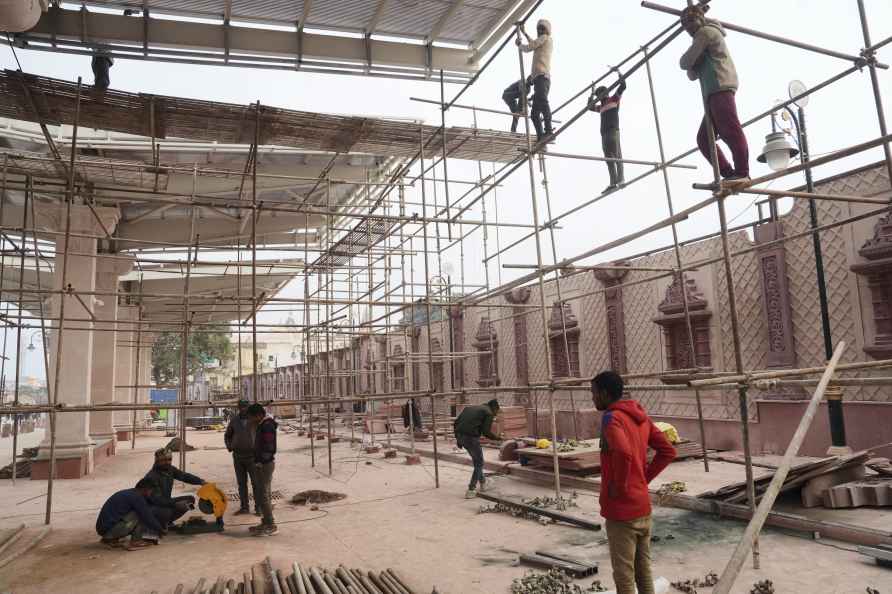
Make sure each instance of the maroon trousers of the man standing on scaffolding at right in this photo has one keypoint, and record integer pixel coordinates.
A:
(723, 111)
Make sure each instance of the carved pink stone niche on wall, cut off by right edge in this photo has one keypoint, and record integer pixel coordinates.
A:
(878, 271)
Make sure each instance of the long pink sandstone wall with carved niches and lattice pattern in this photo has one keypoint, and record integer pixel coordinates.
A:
(641, 328)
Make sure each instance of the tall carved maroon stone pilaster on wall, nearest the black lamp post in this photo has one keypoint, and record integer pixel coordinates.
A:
(775, 296)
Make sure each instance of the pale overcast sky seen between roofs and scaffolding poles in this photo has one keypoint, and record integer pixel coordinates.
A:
(589, 37)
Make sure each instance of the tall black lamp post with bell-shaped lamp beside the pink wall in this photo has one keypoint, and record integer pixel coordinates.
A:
(777, 153)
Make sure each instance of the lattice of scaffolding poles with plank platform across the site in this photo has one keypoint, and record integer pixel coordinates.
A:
(359, 275)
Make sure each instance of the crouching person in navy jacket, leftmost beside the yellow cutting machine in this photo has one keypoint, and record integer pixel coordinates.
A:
(127, 513)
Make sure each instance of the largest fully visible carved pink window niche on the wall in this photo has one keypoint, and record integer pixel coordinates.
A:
(675, 331)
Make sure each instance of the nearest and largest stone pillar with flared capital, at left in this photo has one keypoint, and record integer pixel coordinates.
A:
(74, 447)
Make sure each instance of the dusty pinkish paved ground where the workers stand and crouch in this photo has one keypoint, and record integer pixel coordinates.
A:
(392, 517)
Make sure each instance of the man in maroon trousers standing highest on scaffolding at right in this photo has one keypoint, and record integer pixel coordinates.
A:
(708, 61)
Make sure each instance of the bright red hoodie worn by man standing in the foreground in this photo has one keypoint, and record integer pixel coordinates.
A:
(626, 432)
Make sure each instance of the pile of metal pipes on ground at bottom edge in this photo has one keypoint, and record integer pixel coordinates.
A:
(264, 579)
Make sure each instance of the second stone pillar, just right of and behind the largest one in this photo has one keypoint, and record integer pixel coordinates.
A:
(108, 270)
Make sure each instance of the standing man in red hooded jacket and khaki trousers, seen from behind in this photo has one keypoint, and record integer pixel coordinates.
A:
(626, 433)
